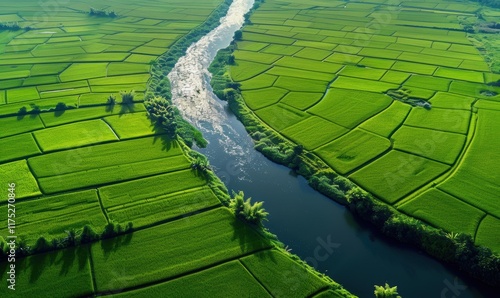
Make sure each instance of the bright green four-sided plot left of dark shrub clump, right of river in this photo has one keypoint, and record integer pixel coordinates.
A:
(348, 108)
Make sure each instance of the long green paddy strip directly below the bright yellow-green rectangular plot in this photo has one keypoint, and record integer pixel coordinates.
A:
(105, 155)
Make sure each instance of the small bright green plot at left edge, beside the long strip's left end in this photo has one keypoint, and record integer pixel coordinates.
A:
(18, 172)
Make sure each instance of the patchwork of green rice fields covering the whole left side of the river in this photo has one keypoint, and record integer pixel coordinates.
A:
(78, 159)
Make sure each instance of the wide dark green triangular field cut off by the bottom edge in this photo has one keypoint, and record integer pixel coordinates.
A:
(229, 278)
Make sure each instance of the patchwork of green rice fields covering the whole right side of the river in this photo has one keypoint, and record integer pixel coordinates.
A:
(391, 94)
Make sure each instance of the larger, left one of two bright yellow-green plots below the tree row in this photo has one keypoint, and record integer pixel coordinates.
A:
(82, 133)
